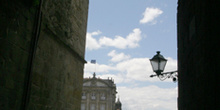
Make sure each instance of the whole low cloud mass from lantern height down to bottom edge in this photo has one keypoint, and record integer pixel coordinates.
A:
(132, 72)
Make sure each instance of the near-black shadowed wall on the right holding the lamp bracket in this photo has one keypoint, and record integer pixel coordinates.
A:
(198, 54)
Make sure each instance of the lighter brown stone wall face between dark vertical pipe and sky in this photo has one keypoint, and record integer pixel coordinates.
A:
(58, 66)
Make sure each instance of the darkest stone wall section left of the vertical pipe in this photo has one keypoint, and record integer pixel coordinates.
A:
(16, 29)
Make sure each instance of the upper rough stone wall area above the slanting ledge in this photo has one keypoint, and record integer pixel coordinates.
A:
(67, 20)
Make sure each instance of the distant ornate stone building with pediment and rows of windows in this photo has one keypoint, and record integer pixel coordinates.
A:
(98, 94)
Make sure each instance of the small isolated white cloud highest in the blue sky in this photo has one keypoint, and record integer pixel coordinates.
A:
(150, 14)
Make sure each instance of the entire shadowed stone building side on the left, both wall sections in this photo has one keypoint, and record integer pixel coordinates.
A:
(42, 47)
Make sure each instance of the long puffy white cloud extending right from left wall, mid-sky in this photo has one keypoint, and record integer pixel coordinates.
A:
(130, 41)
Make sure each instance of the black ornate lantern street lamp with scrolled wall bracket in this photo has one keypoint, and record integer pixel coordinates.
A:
(158, 63)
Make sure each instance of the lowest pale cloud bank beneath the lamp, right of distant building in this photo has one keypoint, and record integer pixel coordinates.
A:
(148, 98)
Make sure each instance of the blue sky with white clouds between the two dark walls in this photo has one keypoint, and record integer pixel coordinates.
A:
(122, 35)
